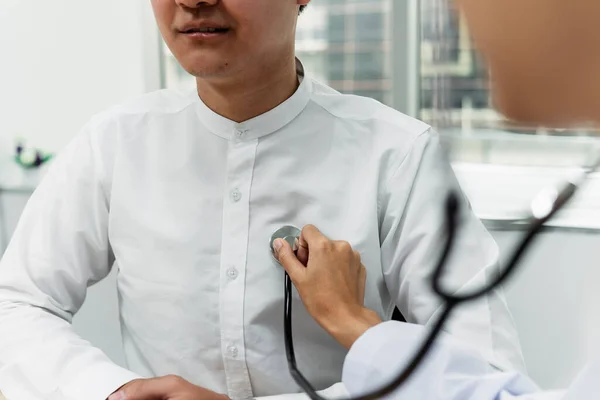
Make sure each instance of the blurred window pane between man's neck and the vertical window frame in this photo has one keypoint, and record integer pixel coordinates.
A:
(346, 44)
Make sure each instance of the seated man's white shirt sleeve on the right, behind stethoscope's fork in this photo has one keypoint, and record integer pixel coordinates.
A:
(412, 233)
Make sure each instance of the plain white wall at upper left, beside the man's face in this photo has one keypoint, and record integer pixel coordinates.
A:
(62, 61)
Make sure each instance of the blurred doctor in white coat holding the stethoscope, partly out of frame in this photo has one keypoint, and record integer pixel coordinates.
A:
(545, 58)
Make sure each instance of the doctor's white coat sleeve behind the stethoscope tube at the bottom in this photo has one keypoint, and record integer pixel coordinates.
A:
(452, 371)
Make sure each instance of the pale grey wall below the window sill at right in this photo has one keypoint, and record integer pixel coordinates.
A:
(554, 299)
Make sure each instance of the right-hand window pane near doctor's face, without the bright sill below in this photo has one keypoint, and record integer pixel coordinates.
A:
(455, 99)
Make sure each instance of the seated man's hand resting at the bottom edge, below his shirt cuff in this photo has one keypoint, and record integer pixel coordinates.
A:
(165, 388)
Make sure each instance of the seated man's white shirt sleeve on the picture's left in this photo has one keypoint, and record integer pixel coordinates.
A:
(60, 247)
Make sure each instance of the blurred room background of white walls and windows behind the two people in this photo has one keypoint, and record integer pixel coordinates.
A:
(63, 61)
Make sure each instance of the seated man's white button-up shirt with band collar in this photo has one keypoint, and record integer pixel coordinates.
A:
(182, 202)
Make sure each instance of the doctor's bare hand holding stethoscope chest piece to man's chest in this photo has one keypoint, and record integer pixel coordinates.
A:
(330, 279)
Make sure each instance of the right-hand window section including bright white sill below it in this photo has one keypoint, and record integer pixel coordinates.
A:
(501, 166)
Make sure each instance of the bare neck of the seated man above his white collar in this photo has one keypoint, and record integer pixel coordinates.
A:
(254, 93)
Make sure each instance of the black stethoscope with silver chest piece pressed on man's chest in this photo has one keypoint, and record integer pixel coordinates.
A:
(544, 206)
